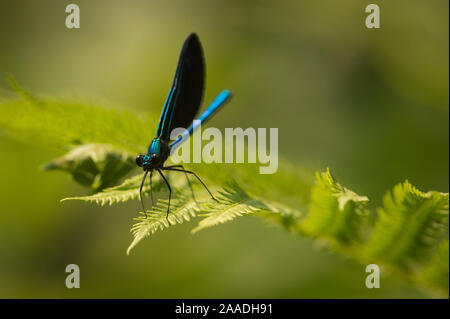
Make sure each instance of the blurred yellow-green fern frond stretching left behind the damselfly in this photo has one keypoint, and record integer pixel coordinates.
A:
(59, 123)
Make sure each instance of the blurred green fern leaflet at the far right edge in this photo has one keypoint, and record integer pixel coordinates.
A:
(409, 224)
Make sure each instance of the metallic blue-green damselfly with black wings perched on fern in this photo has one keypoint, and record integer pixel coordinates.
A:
(180, 108)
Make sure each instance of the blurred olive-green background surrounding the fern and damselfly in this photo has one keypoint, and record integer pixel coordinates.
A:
(372, 104)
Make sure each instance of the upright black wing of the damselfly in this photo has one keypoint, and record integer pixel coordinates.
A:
(185, 95)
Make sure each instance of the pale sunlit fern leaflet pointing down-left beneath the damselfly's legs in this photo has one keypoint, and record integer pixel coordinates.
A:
(181, 209)
